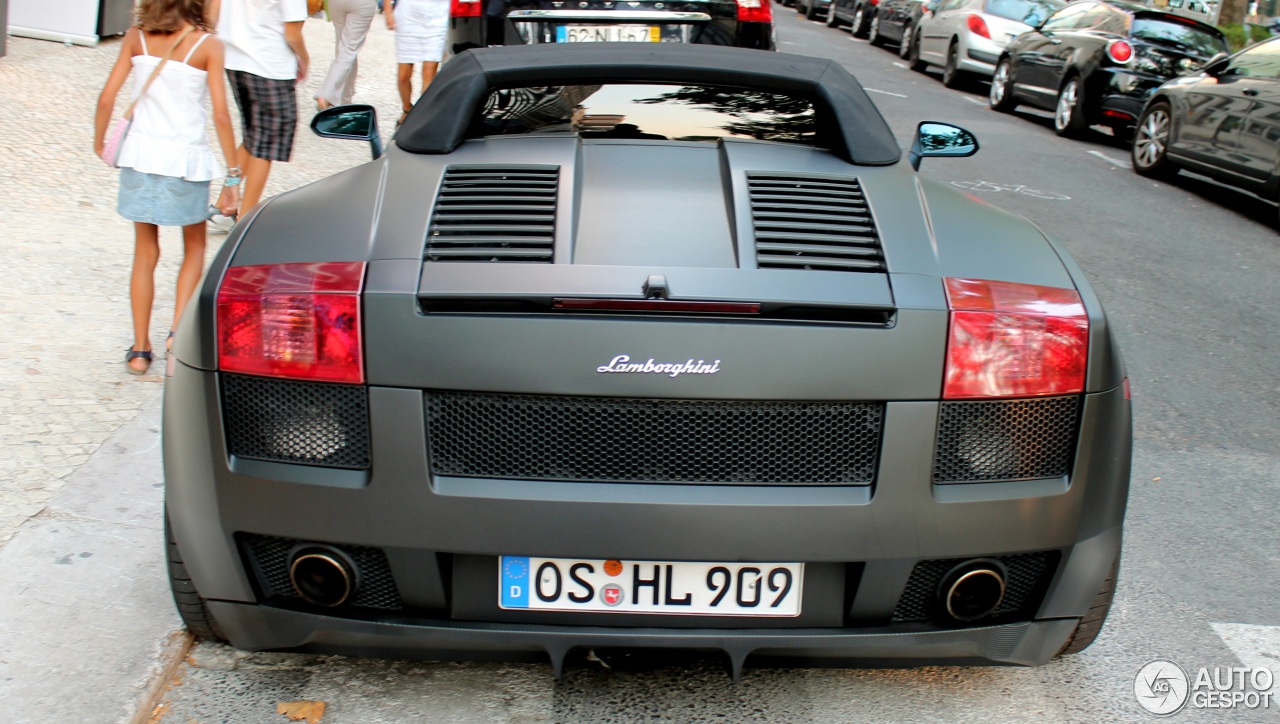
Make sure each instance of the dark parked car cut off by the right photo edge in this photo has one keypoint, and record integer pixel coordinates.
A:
(1224, 123)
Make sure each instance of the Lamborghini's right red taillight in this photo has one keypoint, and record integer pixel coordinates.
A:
(1012, 341)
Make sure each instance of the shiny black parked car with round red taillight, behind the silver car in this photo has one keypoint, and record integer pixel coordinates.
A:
(1099, 62)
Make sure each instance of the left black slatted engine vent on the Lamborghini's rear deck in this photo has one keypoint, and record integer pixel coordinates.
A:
(495, 214)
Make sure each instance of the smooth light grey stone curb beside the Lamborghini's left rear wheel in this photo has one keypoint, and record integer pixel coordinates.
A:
(88, 627)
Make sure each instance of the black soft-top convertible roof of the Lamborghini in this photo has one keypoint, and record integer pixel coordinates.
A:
(441, 120)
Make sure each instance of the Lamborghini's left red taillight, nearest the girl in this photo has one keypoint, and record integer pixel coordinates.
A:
(292, 320)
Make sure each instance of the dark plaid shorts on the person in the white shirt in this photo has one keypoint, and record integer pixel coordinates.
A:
(269, 114)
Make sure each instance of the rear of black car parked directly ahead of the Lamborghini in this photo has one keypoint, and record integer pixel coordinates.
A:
(742, 24)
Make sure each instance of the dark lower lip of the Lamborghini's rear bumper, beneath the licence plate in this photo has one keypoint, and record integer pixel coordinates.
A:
(271, 629)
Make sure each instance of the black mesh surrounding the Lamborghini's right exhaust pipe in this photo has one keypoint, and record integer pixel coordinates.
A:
(1027, 574)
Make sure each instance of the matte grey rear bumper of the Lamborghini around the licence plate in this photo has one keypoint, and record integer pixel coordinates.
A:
(428, 524)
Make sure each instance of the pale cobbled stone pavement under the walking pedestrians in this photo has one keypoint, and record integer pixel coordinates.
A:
(67, 255)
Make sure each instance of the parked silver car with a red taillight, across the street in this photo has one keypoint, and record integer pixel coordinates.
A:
(967, 36)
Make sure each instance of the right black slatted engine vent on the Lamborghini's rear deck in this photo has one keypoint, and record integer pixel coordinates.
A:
(804, 222)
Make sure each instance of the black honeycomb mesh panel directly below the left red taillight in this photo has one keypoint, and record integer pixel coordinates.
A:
(296, 423)
